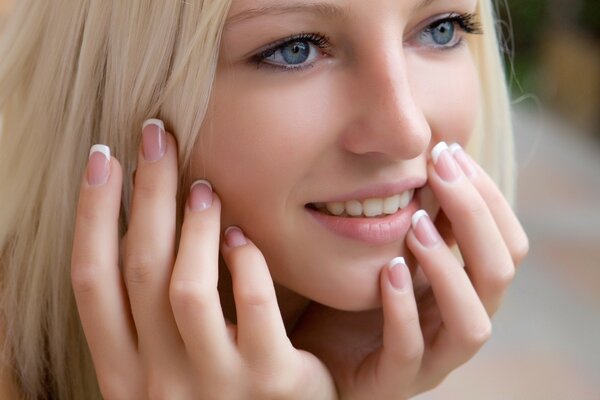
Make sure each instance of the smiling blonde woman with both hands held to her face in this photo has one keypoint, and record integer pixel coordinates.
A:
(252, 240)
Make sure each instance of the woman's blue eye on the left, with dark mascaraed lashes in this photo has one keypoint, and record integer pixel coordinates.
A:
(294, 53)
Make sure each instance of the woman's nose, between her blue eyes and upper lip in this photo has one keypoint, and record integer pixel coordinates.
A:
(388, 121)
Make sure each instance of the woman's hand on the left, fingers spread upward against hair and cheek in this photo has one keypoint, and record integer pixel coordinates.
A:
(156, 330)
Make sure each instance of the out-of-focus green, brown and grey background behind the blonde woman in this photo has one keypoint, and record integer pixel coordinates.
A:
(546, 336)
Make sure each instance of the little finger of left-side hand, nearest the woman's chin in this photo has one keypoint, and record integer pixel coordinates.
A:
(261, 331)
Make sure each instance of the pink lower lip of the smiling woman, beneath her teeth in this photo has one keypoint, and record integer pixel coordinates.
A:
(373, 231)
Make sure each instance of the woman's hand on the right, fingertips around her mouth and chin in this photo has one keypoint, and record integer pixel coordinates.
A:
(421, 335)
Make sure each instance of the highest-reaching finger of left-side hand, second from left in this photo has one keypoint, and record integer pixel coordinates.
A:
(150, 244)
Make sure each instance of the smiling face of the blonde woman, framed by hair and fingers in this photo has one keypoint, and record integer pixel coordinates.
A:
(328, 107)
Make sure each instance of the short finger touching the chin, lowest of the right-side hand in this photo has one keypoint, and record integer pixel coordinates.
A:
(403, 344)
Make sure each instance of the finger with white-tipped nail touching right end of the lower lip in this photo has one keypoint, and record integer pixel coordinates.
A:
(466, 324)
